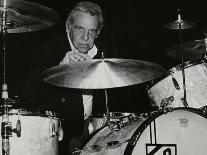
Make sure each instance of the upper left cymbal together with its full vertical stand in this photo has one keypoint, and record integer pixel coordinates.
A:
(17, 17)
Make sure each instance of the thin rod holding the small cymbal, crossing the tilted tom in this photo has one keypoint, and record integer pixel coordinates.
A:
(182, 61)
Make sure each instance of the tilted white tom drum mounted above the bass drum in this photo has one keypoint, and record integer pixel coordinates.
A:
(168, 92)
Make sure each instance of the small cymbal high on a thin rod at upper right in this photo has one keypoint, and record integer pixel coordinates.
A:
(179, 24)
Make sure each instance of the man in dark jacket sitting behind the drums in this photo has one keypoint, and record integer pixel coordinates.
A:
(83, 25)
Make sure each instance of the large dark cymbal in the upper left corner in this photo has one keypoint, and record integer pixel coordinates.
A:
(24, 16)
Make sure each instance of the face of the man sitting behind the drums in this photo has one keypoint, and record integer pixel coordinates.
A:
(83, 31)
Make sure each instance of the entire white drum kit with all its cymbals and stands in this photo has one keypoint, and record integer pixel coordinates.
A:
(178, 93)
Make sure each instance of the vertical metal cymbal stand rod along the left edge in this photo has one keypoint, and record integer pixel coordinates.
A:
(5, 125)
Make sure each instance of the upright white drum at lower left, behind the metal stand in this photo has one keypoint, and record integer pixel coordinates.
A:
(39, 134)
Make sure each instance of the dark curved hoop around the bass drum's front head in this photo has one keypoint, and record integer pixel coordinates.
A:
(129, 148)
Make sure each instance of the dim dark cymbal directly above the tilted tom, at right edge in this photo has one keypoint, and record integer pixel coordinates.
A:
(192, 50)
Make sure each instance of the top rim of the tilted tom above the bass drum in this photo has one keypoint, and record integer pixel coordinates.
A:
(187, 64)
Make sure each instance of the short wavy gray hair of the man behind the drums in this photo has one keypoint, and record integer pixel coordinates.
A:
(86, 7)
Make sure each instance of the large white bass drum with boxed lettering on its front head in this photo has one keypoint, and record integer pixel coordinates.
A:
(178, 132)
